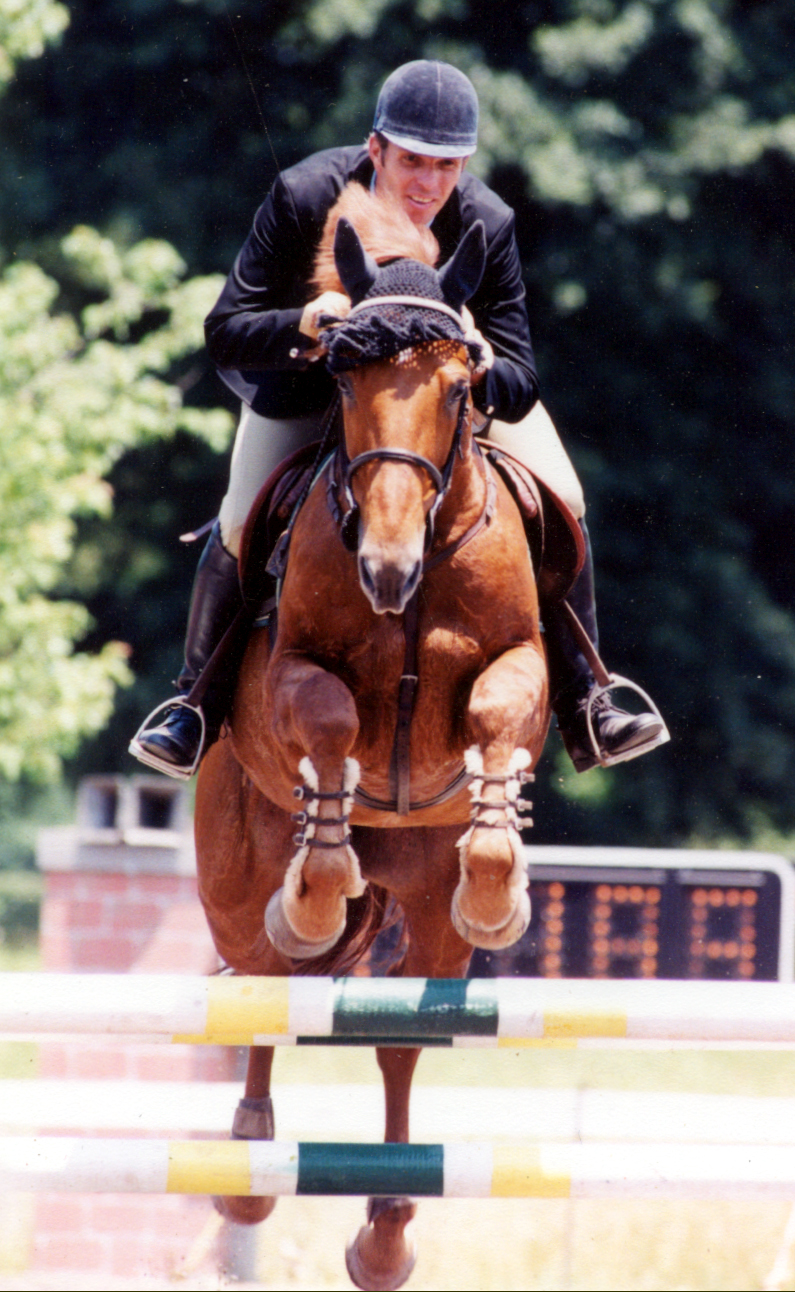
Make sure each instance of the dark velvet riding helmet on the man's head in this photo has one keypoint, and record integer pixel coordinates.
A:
(429, 108)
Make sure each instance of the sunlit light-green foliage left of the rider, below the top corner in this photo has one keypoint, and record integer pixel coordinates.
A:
(74, 397)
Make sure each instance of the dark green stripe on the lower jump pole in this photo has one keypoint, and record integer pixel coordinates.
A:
(386, 1170)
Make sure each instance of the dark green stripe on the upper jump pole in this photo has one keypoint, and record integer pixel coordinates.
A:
(416, 1008)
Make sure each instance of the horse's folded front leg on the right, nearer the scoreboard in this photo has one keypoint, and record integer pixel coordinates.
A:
(507, 720)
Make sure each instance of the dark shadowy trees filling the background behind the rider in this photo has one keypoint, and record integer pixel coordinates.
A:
(650, 153)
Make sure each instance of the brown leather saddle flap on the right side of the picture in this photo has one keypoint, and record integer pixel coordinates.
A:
(554, 534)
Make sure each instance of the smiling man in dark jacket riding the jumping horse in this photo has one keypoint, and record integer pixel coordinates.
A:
(425, 131)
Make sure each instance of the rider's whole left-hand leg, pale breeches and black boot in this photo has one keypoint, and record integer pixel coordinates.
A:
(175, 744)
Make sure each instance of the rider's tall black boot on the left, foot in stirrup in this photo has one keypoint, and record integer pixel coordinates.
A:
(176, 744)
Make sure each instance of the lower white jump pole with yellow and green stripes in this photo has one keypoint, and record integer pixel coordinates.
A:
(245, 1169)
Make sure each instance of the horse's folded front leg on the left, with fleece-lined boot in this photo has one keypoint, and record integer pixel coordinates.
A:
(316, 725)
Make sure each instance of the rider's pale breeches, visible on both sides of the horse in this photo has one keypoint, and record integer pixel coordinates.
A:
(262, 444)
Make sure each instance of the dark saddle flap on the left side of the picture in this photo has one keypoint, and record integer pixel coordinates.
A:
(270, 517)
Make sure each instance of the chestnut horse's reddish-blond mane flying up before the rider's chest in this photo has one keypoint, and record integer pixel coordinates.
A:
(387, 233)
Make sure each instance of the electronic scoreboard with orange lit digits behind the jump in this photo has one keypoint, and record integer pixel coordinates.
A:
(626, 913)
